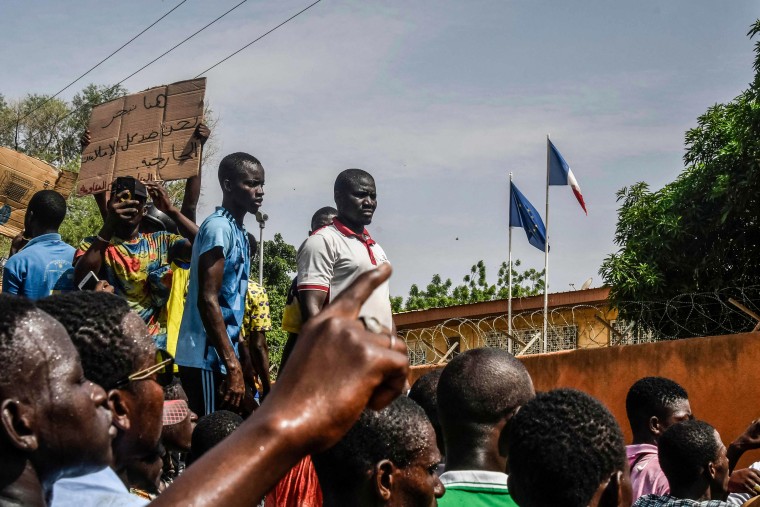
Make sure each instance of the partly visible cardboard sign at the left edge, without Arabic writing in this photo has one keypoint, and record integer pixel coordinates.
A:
(21, 176)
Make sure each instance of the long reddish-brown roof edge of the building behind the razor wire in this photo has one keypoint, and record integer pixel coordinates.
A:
(433, 316)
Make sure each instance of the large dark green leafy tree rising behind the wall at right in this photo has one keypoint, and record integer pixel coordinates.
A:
(699, 233)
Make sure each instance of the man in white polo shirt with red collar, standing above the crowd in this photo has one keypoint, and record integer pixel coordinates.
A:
(333, 256)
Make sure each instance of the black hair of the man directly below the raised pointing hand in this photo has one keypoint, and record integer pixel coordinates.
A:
(396, 433)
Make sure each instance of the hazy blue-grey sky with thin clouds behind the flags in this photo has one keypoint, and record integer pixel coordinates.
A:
(438, 99)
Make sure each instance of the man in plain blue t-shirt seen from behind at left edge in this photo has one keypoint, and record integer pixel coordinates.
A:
(43, 266)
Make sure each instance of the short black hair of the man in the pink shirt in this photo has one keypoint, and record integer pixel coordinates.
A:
(651, 396)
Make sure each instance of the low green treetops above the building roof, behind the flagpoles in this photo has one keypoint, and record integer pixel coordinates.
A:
(439, 293)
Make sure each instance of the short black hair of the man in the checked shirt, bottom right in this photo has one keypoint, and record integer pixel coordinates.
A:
(684, 450)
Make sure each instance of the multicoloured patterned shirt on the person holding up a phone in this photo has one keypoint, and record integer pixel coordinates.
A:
(139, 271)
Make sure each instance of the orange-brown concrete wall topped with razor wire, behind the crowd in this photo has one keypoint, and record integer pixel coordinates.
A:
(721, 374)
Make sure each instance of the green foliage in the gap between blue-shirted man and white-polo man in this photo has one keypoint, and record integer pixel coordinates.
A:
(279, 269)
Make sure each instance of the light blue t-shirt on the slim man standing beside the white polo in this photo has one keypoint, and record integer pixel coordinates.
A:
(218, 230)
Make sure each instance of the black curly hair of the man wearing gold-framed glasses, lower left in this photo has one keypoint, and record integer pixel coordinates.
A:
(94, 323)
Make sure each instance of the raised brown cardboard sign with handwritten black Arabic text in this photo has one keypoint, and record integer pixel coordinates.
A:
(148, 135)
